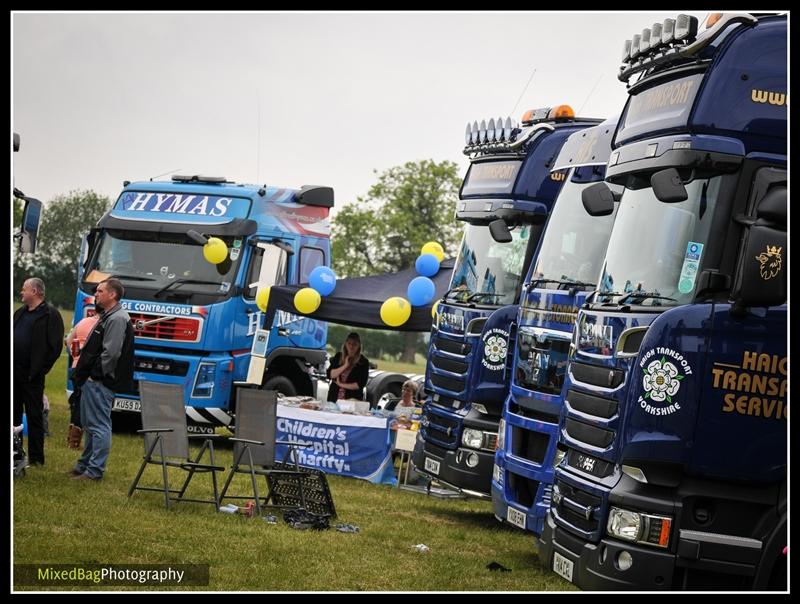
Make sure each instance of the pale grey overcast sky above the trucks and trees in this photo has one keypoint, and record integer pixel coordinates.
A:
(102, 98)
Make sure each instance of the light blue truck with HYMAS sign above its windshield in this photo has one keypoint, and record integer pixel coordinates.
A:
(196, 323)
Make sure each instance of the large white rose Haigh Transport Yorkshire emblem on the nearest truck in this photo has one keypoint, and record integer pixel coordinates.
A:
(663, 370)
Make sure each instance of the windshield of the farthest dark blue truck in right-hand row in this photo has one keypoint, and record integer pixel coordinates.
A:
(488, 272)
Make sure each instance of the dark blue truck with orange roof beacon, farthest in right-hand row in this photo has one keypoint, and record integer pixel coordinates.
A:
(505, 199)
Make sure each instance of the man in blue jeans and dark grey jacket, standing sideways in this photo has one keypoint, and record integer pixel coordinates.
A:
(104, 368)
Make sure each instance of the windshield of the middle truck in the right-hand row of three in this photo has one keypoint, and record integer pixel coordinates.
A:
(574, 243)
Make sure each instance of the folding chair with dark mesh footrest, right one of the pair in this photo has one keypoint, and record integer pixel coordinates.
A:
(254, 454)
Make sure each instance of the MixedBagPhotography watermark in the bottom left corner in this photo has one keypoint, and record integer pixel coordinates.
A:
(71, 575)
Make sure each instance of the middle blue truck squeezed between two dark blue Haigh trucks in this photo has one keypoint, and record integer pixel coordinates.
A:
(568, 262)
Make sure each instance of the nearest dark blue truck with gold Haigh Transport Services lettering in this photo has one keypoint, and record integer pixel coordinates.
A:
(675, 417)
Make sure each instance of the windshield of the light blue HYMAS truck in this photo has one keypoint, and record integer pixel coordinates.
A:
(162, 263)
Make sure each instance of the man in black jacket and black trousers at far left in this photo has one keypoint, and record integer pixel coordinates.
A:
(38, 336)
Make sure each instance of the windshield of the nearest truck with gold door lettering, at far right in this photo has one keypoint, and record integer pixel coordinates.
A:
(656, 248)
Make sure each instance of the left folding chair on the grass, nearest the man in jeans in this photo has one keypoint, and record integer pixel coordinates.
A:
(166, 442)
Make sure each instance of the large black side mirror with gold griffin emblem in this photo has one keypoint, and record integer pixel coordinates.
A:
(760, 277)
